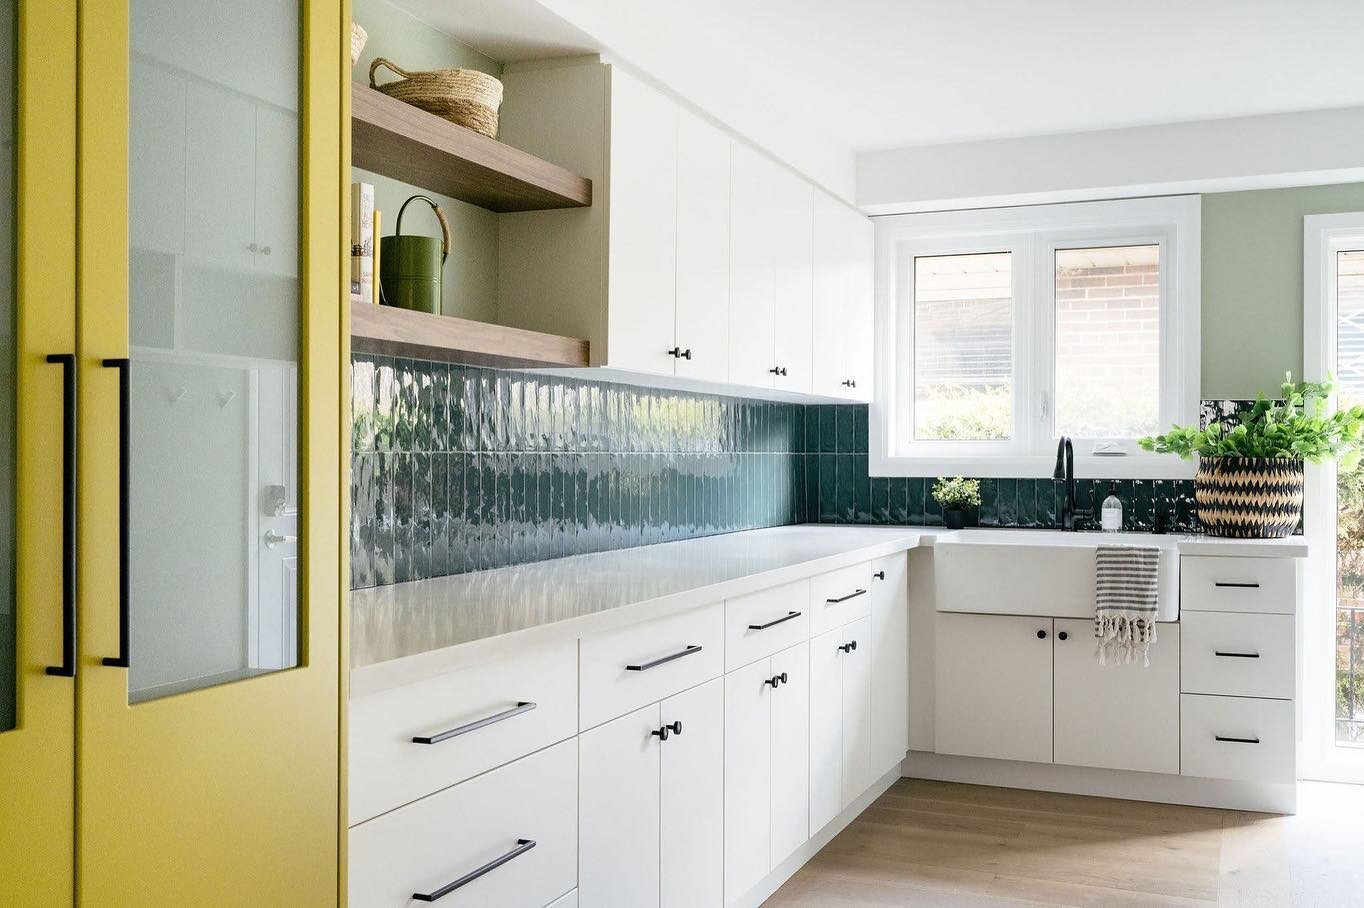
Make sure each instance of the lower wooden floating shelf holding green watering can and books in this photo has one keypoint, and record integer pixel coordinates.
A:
(387, 331)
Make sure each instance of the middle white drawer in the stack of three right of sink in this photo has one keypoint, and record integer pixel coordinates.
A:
(1238, 655)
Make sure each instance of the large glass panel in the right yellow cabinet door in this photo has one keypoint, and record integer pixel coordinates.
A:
(215, 342)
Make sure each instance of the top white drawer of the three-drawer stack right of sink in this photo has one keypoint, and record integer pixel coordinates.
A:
(1223, 584)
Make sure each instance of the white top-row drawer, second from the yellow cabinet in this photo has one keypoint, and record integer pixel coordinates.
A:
(644, 663)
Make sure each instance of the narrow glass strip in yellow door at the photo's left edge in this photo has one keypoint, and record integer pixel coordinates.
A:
(9, 429)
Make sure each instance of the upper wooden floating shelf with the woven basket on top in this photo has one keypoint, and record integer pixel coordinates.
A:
(414, 147)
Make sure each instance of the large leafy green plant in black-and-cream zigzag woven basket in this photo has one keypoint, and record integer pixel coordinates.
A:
(1250, 475)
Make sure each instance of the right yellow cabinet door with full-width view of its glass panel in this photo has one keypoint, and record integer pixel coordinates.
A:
(211, 425)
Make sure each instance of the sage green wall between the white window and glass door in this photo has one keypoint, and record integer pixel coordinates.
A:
(1253, 284)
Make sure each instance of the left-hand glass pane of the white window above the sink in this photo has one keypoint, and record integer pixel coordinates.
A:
(964, 347)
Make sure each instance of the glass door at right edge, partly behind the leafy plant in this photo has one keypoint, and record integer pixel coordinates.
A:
(1333, 614)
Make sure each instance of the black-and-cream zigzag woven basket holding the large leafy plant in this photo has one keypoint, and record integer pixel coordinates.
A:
(1249, 497)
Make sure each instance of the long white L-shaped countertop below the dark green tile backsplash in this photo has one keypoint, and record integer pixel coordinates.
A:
(406, 632)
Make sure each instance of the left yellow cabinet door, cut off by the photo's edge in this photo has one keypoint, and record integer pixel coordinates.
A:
(38, 321)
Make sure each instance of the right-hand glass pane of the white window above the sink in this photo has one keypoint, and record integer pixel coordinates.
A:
(1108, 342)
